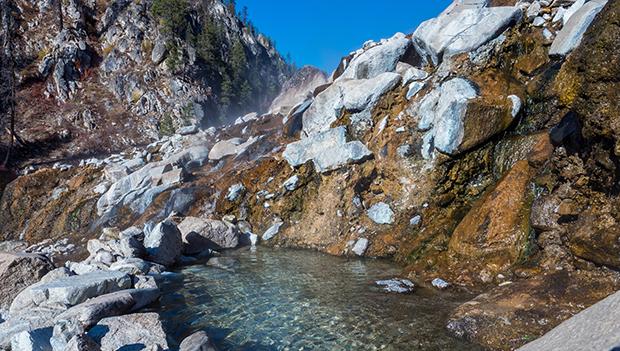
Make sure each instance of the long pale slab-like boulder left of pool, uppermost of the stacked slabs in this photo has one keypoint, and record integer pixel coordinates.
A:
(70, 291)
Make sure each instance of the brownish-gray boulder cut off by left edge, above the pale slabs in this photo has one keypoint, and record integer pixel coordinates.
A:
(18, 271)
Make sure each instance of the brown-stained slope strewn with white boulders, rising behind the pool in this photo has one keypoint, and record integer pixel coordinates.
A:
(481, 149)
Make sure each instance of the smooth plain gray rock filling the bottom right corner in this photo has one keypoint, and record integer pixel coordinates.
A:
(595, 328)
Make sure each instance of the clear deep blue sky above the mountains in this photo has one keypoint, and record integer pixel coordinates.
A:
(320, 32)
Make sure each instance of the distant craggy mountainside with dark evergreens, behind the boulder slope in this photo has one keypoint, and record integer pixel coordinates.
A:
(112, 74)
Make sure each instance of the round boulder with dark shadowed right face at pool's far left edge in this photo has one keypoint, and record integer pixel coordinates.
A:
(164, 243)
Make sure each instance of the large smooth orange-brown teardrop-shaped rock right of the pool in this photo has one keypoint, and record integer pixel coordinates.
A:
(494, 232)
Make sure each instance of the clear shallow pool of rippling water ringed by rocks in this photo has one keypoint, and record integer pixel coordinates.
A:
(270, 299)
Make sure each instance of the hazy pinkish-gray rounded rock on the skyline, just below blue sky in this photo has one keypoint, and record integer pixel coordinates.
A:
(297, 89)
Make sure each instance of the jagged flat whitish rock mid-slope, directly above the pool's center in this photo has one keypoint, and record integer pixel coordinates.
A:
(328, 150)
